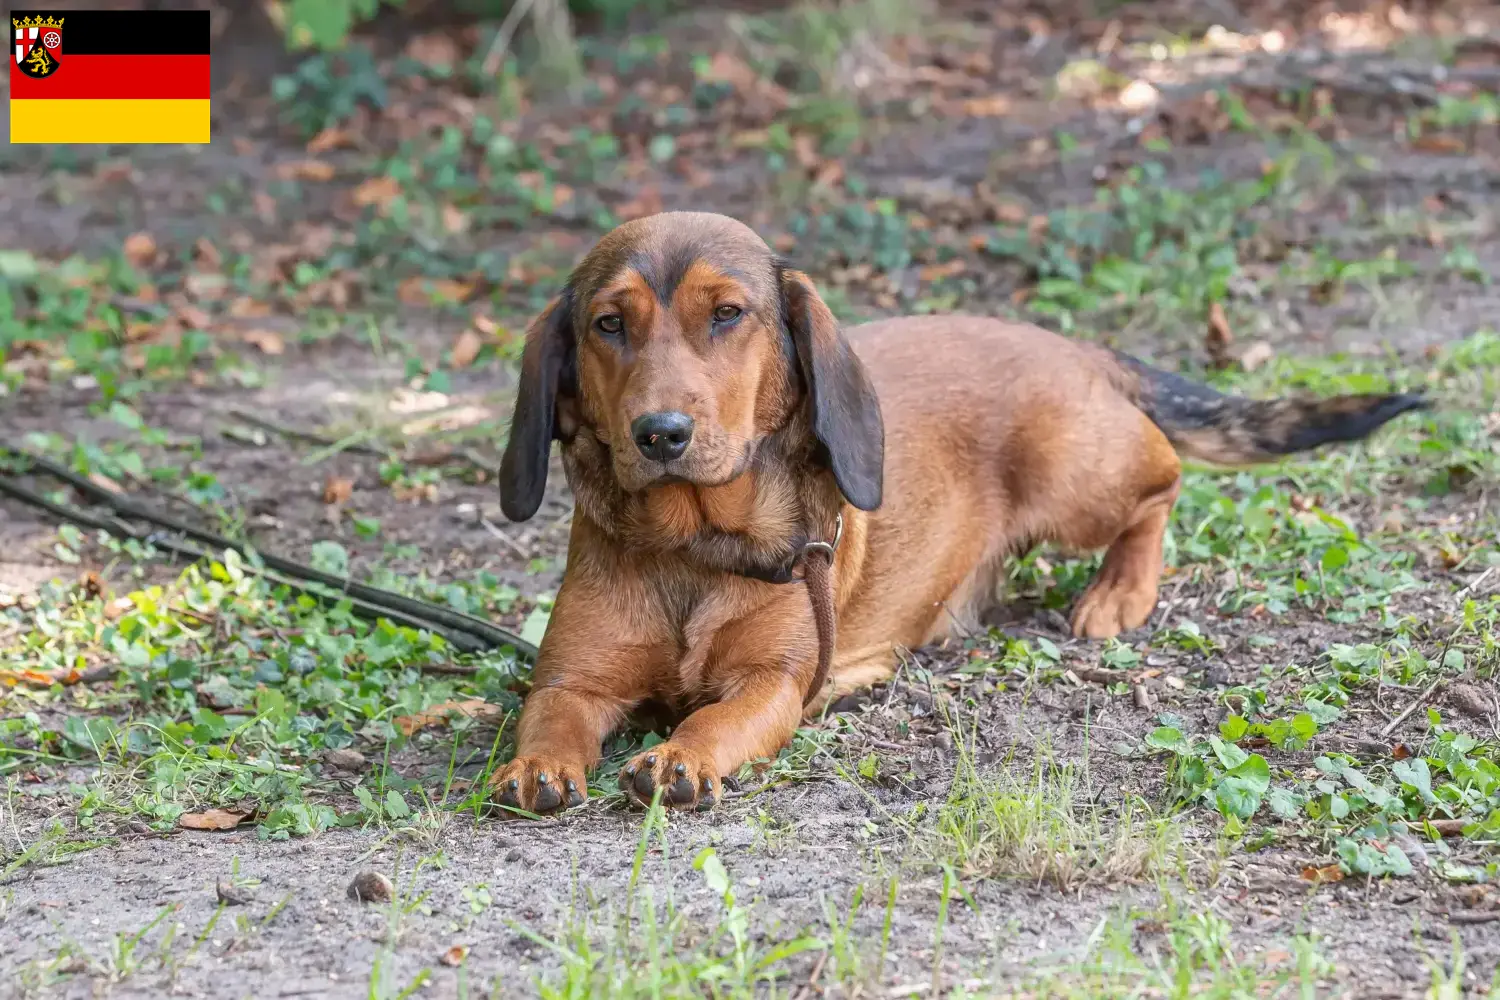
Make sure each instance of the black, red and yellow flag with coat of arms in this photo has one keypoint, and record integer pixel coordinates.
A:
(110, 77)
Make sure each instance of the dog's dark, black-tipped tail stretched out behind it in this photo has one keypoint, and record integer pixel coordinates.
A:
(1211, 427)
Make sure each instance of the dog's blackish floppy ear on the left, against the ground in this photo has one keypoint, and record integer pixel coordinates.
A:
(545, 365)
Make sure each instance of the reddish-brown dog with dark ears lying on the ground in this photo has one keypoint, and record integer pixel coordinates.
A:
(715, 421)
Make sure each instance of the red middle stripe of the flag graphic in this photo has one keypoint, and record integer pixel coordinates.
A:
(121, 77)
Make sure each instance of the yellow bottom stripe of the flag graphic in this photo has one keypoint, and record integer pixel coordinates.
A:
(109, 121)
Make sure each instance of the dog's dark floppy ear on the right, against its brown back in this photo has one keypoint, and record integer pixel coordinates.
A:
(847, 415)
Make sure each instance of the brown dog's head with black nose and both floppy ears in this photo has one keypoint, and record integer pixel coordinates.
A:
(682, 343)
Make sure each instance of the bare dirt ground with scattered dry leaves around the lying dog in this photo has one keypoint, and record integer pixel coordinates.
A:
(1004, 115)
